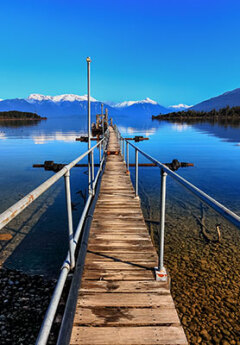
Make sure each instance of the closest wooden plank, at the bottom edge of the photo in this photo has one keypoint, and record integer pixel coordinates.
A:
(128, 336)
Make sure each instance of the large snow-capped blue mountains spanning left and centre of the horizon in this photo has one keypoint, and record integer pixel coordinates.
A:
(69, 105)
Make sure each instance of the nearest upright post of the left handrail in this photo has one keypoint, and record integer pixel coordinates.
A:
(70, 223)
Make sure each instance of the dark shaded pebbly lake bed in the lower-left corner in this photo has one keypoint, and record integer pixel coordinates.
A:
(23, 302)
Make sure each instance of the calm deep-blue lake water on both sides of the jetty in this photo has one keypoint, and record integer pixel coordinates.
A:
(40, 233)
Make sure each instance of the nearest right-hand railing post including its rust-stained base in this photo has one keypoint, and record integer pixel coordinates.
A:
(161, 274)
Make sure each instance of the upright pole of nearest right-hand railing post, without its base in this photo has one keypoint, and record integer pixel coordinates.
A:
(162, 220)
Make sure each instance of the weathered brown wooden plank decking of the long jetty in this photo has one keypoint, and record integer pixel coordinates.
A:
(119, 301)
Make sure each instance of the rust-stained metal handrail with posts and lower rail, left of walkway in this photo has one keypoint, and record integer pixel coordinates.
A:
(69, 262)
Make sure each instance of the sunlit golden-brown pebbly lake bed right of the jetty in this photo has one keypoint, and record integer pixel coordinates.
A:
(205, 273)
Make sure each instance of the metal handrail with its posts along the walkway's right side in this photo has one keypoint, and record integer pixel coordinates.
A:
(208, 200)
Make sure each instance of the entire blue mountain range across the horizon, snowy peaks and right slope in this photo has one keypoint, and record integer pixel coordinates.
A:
(73, 105)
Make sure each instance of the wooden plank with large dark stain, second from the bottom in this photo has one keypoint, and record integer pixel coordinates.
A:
(125, 317)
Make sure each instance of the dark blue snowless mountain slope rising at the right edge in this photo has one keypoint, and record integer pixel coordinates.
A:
(231, 98)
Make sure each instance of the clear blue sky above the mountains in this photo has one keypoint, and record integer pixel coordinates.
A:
(173, 51)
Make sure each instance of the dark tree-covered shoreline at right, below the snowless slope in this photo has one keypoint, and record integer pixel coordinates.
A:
(224, 113)
